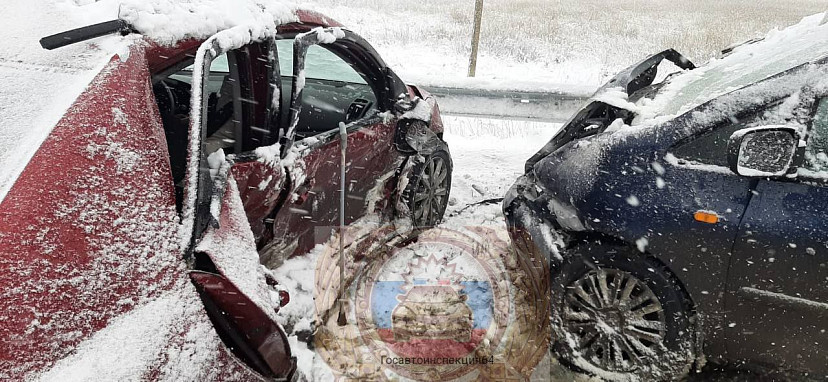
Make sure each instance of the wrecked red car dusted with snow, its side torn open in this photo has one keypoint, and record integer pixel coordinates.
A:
(132, 241)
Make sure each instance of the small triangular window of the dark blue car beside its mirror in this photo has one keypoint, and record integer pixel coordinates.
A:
(711, 147)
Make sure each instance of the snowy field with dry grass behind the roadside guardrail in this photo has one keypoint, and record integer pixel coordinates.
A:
(552, 44)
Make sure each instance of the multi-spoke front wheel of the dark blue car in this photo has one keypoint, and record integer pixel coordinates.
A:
(620, 316)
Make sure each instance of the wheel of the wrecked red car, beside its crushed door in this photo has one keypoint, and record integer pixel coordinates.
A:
(428, 189)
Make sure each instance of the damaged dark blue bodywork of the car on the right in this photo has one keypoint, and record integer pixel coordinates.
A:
(627, 189)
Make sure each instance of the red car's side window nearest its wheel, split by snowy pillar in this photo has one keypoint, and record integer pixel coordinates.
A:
(335, 90)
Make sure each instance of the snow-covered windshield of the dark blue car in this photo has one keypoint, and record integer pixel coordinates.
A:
(747, 64)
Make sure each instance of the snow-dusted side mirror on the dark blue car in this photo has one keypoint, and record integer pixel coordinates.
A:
(764, 151)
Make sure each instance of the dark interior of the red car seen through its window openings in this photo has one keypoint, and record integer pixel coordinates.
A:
(335, 92)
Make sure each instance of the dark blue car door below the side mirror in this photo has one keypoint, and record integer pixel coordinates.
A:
(778, 284)
